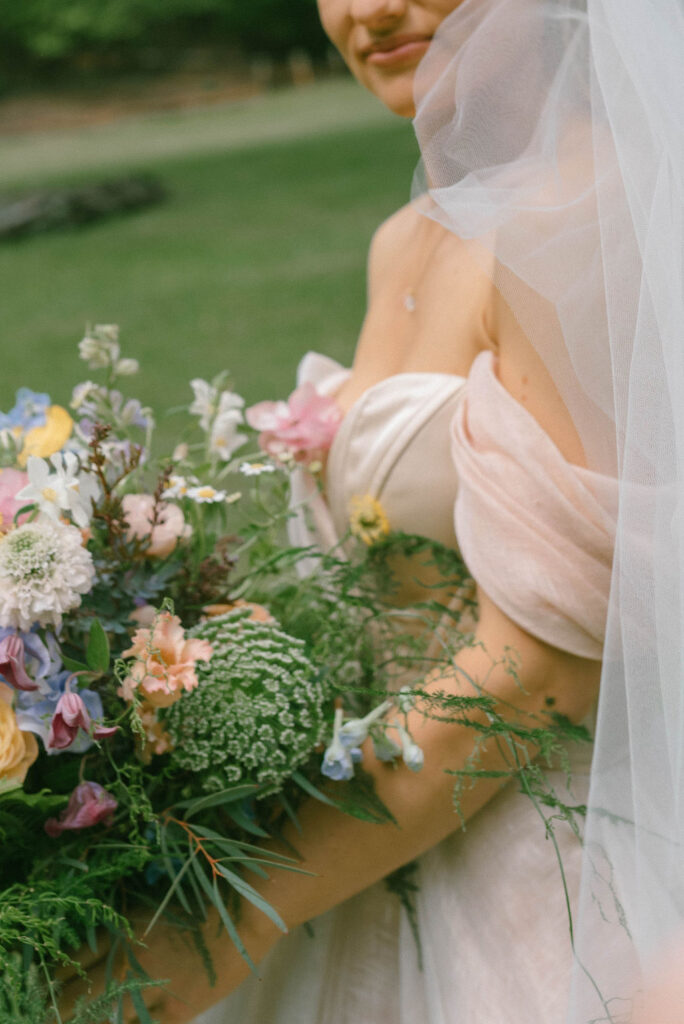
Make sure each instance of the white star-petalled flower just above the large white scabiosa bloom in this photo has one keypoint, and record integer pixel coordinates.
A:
(66, 490)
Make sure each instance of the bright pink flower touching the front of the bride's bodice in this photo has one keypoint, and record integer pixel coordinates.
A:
(303, 428)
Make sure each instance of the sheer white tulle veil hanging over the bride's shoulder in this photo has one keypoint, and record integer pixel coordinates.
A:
(552, 137)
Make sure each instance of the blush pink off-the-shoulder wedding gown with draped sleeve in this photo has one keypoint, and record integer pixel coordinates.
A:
(537, 533)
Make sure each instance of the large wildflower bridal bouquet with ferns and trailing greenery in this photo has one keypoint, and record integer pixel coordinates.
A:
(170, 687)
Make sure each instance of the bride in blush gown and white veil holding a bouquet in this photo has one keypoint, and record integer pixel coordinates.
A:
(516, 365)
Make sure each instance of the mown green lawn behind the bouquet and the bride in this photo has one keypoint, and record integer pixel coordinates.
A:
(259, 255)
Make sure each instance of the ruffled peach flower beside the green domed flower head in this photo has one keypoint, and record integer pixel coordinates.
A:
(165, 662)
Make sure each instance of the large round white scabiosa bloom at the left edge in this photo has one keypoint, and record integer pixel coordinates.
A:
(45, 572)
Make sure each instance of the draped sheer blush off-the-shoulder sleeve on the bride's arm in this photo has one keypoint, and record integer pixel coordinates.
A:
(536, 532)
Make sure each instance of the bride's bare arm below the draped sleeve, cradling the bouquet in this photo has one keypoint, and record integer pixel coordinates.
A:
(347, 856)
